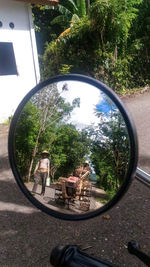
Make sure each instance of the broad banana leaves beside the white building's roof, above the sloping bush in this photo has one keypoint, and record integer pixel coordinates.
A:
(50, 22)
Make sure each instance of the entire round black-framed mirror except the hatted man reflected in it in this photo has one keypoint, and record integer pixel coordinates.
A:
(91, 141)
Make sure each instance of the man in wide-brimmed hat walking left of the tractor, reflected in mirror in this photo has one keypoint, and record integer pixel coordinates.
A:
(41, 171)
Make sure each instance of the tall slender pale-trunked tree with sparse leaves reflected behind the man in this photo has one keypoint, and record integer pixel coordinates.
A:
(51, 108)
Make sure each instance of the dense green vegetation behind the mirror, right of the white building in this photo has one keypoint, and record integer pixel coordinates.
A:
(105, 39)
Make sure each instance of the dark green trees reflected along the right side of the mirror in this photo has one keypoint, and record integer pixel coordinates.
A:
(110, 148)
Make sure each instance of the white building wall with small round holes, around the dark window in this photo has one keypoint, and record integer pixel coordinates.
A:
(14, 87)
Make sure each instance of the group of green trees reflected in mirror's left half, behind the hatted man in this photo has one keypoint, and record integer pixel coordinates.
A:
(43, 125)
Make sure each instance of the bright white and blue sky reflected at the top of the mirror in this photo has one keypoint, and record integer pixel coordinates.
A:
(92, 100)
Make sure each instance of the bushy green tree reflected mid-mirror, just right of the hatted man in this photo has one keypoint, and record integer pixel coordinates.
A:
(67, 150)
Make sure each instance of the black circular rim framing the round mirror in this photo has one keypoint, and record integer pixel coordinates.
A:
(132, 137)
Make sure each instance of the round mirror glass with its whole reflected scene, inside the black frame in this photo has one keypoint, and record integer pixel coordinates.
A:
(71, 147)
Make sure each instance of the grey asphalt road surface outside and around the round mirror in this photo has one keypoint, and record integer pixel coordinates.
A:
(27, 235)
